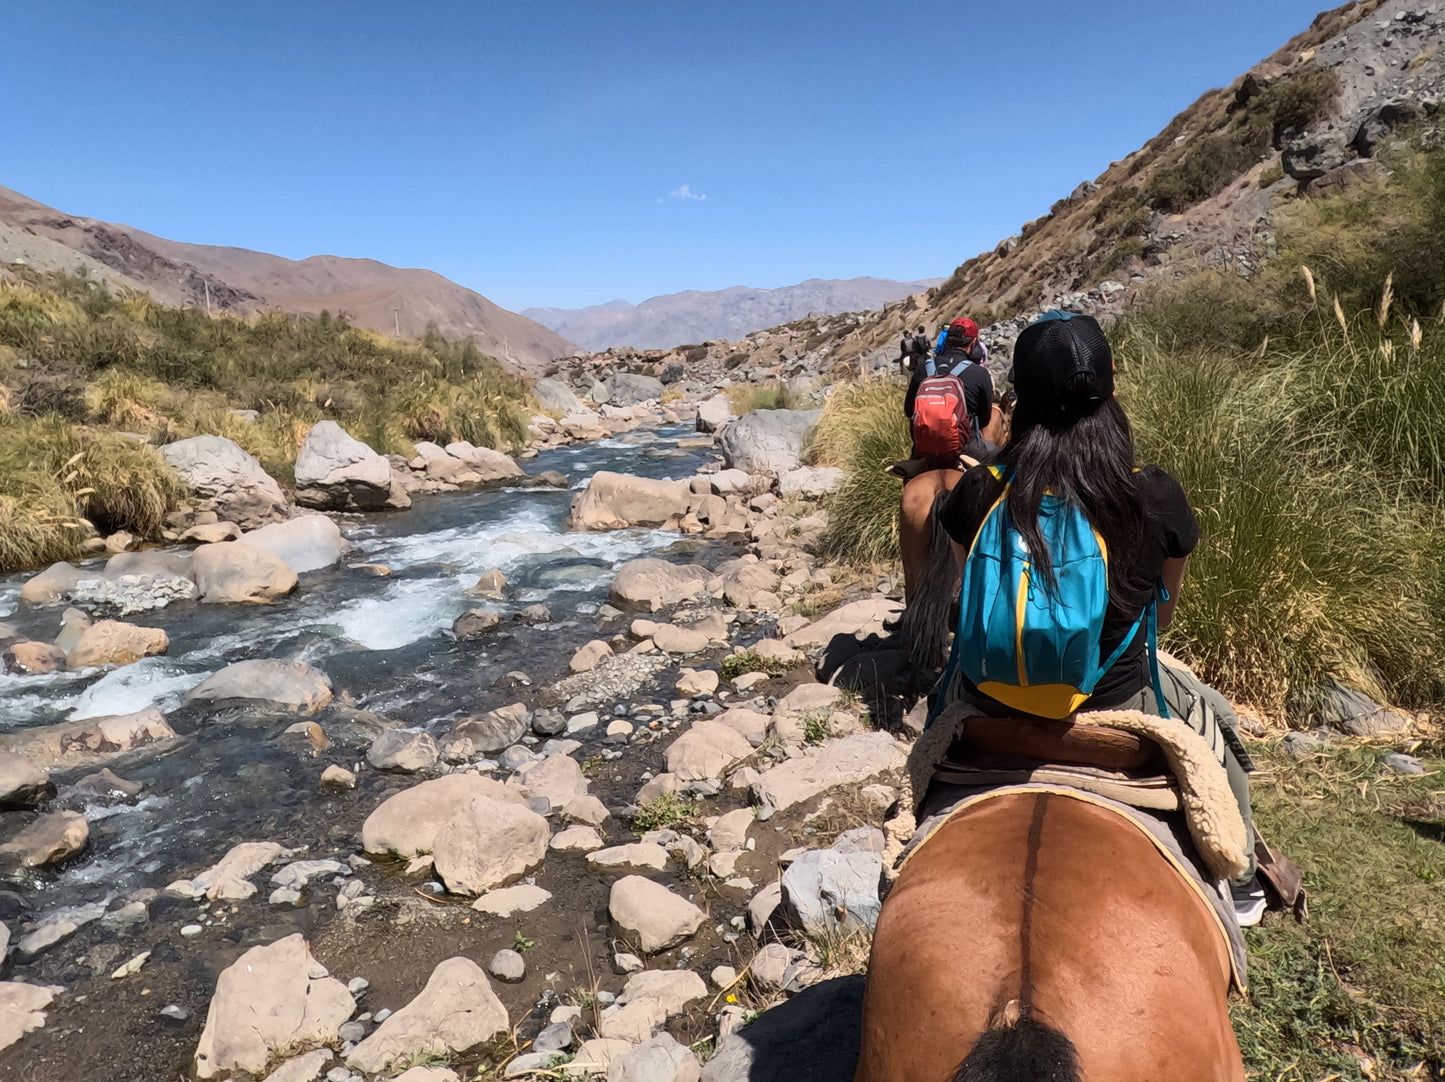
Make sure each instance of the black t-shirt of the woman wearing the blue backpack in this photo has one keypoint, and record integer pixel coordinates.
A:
(1171, 532)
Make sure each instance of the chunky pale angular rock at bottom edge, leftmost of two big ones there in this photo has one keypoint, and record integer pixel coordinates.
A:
(265, 1002)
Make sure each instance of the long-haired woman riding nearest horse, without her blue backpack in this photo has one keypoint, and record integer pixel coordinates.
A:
(1070, 437)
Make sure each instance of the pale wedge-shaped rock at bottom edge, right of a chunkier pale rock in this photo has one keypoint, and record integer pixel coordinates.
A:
(456, 1012)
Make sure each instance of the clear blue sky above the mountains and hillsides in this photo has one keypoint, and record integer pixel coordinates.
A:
(543, 152)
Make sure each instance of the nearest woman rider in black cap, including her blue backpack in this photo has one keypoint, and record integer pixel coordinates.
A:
(1103, 541)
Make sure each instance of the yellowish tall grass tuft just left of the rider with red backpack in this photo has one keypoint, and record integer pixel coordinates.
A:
(863, 430)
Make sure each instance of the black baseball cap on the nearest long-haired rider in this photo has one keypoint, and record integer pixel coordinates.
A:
(1063, 365)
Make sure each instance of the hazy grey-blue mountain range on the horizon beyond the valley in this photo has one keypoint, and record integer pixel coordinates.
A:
(729, 314)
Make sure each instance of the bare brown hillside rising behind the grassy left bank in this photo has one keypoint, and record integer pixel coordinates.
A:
(375, 295)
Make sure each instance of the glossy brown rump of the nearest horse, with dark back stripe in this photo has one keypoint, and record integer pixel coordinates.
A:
(1041, 938)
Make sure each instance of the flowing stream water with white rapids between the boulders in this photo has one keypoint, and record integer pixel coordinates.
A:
(385, 642)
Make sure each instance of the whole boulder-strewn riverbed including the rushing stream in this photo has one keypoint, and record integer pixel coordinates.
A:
(598, 814)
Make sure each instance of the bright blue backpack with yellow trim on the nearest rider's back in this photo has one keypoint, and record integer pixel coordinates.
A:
(1025, 646)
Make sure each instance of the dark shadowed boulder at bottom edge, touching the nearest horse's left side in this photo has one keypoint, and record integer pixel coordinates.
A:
(811, 1038)
